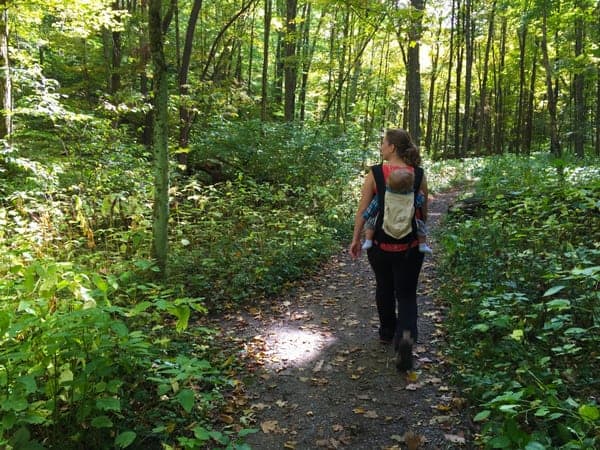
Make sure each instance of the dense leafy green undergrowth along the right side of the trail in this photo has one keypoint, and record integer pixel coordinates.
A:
(524, 270)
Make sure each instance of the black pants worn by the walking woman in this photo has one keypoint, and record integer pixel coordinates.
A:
(396, 276)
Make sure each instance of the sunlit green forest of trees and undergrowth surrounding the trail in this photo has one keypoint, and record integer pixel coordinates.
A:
(162, 162)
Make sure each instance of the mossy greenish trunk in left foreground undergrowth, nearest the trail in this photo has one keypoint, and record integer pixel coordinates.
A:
(160, 141)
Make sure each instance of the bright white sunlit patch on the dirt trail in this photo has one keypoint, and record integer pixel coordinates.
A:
(293, 347)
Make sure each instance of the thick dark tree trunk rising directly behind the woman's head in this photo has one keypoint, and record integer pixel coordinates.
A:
(413, 71)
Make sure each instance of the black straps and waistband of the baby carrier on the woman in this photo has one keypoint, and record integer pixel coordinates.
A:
(382, 239)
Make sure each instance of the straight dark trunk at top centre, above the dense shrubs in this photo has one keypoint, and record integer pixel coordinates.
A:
(291, 63)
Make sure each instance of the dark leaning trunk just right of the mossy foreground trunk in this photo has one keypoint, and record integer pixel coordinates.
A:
(185, 113)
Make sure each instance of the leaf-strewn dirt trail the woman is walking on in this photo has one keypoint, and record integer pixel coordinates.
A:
(324, 381)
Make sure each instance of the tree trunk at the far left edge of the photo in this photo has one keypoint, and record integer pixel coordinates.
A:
(5, 76)
